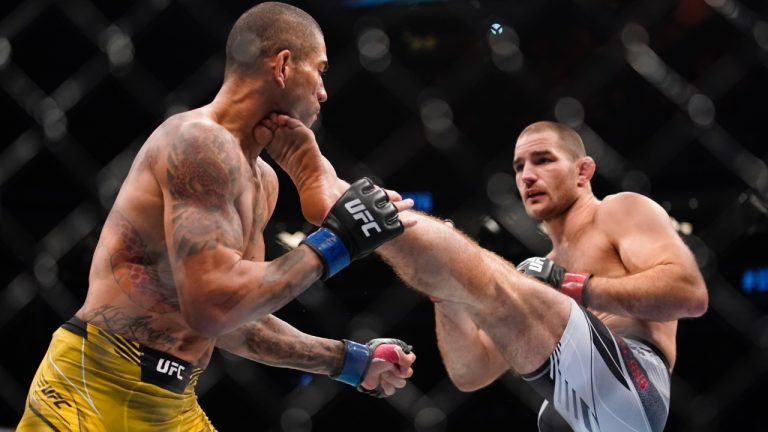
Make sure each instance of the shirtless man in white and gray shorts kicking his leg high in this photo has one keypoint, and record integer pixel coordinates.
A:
(599, 346)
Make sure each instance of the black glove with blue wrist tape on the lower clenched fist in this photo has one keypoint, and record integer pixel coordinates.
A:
(358, 358)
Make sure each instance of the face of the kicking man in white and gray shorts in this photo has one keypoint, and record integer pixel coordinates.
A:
(545, 174)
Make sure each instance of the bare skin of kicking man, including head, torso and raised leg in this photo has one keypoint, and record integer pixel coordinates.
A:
(490, 318)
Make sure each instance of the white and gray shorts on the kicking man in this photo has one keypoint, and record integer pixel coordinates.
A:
(595, 381)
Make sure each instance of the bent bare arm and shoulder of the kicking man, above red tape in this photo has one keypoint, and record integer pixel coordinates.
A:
(664, 281)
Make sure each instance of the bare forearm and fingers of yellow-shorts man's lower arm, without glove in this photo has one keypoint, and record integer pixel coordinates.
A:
(271, 341)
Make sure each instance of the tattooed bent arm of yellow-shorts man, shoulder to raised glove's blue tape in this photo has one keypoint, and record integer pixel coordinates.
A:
(218, 290)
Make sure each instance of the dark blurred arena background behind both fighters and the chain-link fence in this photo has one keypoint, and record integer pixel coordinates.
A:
(425, 97)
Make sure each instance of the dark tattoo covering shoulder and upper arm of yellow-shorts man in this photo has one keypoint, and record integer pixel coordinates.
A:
(204, 171)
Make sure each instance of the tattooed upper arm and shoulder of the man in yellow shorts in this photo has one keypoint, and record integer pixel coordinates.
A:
(201, 178)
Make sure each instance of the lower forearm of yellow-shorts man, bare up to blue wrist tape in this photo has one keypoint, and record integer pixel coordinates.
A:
(274, 342)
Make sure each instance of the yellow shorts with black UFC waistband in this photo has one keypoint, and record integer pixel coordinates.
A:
(92, 380)
